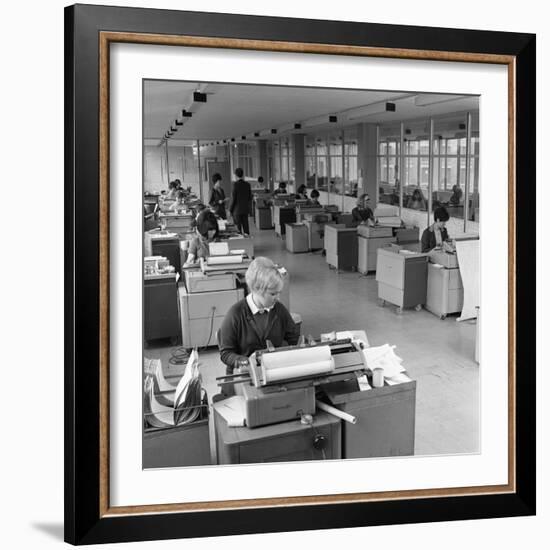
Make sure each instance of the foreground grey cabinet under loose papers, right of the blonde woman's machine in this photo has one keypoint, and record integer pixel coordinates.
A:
(385, 418)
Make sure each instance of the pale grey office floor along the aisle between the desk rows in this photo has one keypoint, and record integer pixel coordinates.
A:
(438, 354)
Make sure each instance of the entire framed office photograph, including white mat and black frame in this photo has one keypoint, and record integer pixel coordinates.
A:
(302, 281)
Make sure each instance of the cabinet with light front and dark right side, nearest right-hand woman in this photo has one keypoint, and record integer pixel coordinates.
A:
(402, 278)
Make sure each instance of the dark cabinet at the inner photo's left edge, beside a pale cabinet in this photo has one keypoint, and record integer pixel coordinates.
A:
(160, 307)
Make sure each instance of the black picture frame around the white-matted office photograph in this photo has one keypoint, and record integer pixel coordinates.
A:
(87, 517)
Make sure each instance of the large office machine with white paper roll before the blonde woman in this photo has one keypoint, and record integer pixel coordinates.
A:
(281, 382)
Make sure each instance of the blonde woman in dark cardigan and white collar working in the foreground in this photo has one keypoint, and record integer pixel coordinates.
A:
(257, 318)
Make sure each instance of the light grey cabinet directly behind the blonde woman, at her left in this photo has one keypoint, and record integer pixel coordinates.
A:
(202, 314)
